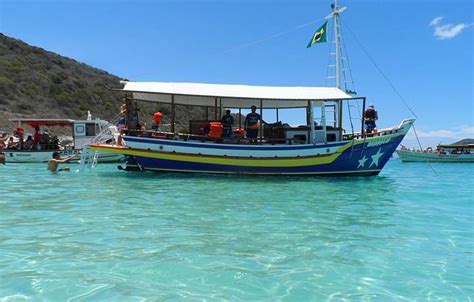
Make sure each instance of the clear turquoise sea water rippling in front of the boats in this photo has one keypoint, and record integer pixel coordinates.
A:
(110, 235)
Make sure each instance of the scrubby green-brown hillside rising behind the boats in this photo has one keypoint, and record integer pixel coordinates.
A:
(39, 83)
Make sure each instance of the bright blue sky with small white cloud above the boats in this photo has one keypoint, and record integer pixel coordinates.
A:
(424, 48)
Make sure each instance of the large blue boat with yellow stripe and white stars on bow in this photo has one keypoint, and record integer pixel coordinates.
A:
(320, 147)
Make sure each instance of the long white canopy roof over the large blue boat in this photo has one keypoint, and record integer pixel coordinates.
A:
(231, 96)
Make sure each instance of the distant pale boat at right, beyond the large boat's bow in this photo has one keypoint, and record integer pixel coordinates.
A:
(453, 153)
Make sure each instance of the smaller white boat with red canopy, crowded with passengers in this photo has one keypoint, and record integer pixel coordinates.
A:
(84, 132)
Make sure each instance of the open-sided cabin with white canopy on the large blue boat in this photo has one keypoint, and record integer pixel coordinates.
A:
(323, 107)
